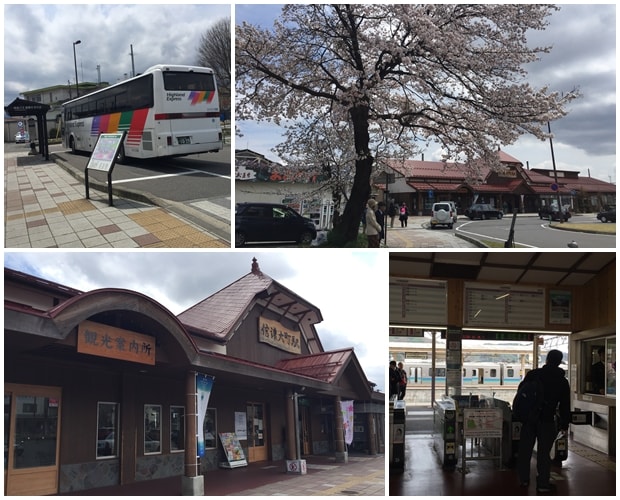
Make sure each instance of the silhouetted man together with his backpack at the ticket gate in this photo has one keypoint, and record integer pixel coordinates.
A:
(542, 393)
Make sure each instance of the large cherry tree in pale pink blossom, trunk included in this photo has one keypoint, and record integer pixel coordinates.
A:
(407, 74)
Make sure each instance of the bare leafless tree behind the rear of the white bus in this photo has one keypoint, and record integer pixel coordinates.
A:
(215, 52)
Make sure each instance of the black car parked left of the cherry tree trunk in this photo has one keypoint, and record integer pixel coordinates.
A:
(269, 222)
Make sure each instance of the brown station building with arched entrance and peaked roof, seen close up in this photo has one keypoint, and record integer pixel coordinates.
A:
(101, 386)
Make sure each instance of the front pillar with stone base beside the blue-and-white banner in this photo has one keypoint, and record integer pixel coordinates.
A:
(192, 483)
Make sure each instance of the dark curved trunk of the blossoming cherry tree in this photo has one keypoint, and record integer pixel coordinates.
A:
(347, 229)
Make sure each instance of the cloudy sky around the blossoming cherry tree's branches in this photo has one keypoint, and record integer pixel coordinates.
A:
(583, 38)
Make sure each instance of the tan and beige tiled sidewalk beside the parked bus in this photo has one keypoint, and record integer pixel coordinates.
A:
(45, 207)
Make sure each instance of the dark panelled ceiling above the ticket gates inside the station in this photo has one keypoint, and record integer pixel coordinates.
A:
(518, 268)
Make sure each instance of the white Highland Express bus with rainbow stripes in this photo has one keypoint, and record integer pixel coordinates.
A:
(169, 110)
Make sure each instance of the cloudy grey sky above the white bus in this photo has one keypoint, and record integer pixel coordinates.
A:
(38, 41)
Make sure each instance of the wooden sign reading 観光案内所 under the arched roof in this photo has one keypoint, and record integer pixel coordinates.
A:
(110, 342)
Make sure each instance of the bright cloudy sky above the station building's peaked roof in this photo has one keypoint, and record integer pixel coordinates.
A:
(345, 286)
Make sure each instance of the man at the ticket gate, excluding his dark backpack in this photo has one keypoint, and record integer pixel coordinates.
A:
(556, 400)
